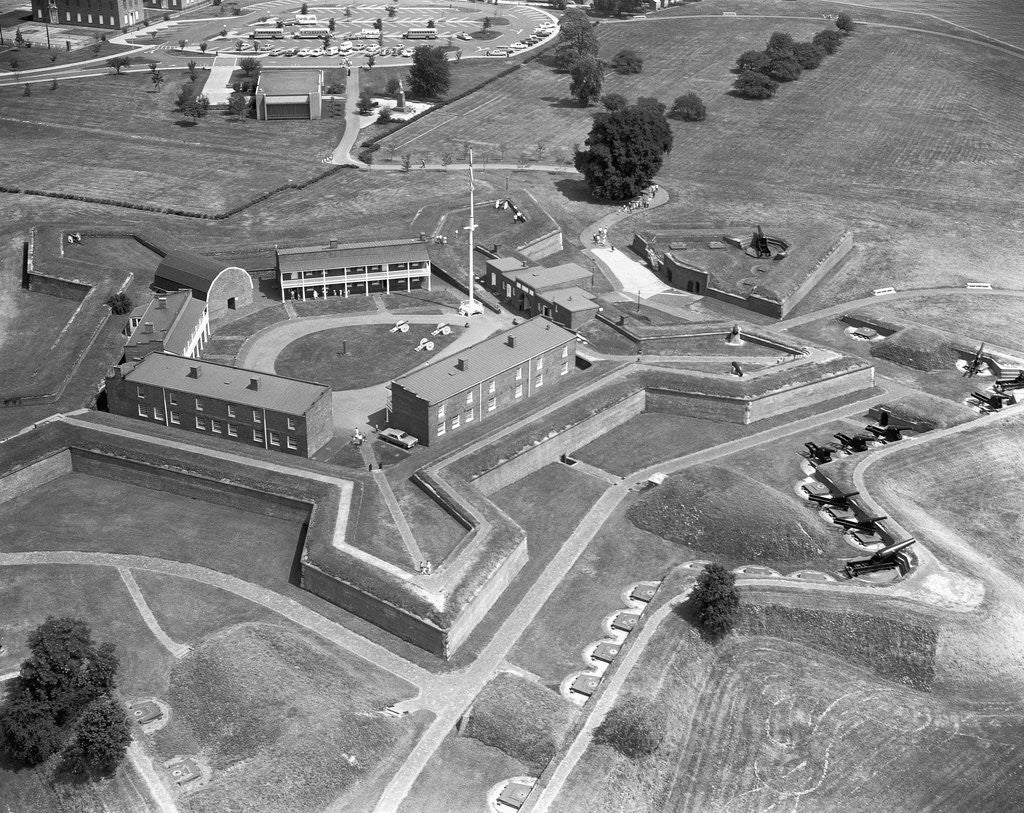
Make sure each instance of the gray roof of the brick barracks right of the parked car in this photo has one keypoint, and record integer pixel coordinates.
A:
(485, 361)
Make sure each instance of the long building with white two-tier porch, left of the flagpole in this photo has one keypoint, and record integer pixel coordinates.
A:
(355, 269)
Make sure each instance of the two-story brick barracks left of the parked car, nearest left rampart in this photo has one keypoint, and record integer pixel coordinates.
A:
(255, 409)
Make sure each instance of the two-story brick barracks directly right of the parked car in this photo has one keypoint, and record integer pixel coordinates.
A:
(478, 383)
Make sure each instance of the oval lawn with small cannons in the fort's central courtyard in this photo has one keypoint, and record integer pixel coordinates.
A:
(373, 355)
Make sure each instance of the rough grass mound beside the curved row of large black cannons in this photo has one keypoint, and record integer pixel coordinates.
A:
(724, 514)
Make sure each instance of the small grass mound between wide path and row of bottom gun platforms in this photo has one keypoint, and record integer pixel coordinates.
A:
(521, 718)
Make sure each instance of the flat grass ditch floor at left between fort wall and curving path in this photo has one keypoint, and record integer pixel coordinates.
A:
(74, 512)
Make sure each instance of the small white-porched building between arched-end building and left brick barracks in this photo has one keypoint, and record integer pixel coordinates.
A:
(177, 323)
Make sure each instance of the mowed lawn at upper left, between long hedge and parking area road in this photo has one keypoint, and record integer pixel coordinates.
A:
(114, 138)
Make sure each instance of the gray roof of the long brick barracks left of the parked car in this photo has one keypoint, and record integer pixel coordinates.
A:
(227, 383)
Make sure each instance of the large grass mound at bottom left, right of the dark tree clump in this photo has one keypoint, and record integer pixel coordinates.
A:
(278, 717)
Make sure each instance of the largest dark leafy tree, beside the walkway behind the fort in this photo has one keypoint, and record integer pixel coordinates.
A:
(625, 151)
